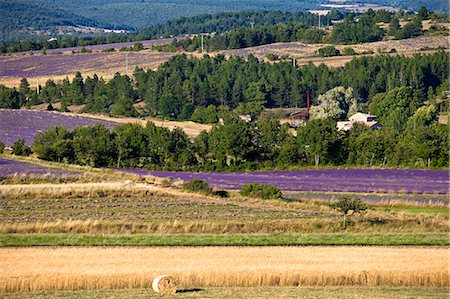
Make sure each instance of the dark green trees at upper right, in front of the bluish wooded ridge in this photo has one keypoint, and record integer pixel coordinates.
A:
(361, 28)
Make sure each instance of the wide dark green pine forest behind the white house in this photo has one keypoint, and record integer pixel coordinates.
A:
(184, 84)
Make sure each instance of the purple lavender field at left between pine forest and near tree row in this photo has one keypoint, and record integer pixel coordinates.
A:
(15, 124)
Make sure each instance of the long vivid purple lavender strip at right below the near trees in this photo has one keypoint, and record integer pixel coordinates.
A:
(326, 180)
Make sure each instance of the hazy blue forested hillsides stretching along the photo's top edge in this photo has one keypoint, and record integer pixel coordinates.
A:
(50, 18)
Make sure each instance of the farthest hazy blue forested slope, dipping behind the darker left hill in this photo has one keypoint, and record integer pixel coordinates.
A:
(143, 13)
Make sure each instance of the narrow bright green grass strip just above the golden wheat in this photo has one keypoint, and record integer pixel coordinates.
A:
(8, 240)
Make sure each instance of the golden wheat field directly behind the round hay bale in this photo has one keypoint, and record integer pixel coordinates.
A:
(68, 268)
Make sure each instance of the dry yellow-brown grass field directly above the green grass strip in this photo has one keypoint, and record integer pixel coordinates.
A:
(145, 207)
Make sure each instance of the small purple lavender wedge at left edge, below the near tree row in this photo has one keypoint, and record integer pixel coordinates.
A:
(10, 168)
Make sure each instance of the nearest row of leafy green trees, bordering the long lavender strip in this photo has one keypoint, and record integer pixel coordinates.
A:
(237, 145)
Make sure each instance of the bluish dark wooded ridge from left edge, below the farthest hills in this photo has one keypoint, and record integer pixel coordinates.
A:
(219, 22)
